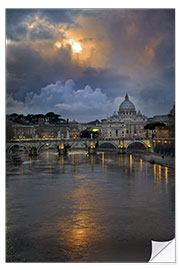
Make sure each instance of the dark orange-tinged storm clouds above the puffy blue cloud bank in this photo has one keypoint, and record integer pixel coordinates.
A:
(133, 52)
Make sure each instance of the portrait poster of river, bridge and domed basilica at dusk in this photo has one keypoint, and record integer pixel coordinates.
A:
(90, 134)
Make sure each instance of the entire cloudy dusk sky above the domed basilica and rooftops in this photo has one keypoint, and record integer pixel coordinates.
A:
(80, 63)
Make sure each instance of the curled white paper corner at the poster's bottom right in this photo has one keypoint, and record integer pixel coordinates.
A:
(163, 251)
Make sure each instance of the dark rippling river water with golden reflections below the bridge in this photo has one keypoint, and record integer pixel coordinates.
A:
(103, 208)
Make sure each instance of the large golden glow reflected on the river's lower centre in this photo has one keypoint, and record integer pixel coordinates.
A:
(81, 229)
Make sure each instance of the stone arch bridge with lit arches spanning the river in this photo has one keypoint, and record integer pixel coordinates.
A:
(34, 146)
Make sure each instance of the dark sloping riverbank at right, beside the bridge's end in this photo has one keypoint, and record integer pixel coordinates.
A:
(158, 159)
